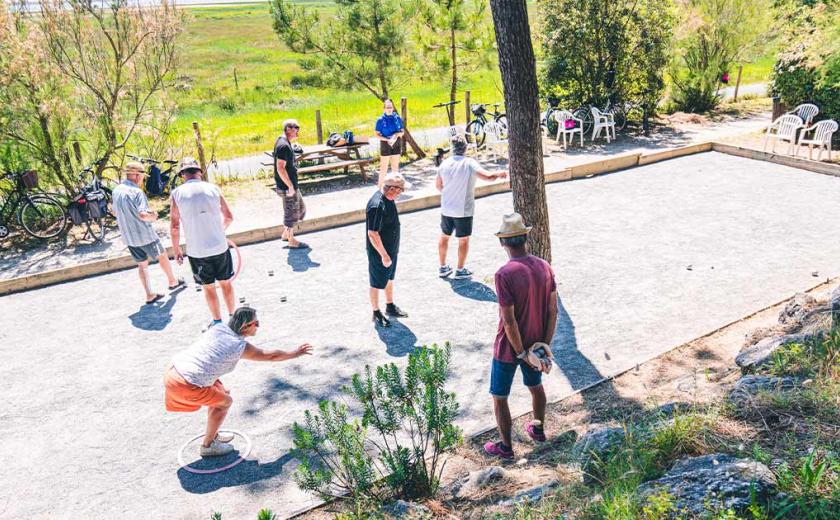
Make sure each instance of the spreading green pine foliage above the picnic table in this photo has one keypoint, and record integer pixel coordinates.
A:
(360, 45)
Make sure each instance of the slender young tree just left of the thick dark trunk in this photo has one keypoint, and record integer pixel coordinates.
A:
(456, 37)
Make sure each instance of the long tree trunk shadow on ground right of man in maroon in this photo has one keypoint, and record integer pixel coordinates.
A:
(578, 370)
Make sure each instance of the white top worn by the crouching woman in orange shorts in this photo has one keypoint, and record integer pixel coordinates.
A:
(212, 356)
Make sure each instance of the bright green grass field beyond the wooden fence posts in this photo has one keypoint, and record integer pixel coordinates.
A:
(236, 122)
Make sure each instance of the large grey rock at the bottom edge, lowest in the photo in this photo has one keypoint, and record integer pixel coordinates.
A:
(719, 480)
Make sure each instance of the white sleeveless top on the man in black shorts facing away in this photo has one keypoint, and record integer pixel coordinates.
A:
(200, 208)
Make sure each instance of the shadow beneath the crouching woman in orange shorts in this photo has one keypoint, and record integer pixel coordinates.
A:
(247, 472)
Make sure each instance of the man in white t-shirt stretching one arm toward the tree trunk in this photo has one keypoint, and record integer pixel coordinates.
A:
(456, 182)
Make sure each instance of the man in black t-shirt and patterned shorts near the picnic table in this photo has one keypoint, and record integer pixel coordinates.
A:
(285, 178)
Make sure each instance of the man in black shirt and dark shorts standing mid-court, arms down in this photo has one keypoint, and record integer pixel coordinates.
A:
(383, 245)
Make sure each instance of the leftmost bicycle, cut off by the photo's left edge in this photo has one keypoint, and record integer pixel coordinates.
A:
(40, 215)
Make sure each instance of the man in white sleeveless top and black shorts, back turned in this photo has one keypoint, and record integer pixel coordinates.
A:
(205, 215)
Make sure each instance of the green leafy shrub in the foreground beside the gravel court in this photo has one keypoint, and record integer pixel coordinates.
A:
(406, 425)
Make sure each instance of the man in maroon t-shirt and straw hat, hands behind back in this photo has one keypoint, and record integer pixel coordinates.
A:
(527, 296)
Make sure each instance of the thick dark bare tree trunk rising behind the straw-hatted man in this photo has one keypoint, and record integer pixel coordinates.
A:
(519, 77)
